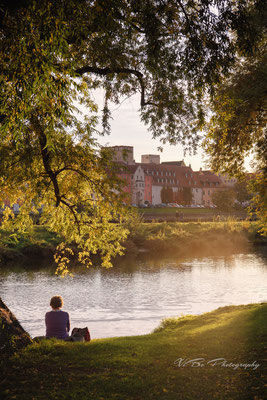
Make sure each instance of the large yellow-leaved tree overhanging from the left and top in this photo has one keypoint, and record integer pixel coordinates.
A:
(52, 54)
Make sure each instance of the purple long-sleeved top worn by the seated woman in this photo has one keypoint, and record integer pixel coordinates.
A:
(57, 324)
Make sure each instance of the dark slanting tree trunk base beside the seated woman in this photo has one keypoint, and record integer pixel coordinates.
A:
(12, 336)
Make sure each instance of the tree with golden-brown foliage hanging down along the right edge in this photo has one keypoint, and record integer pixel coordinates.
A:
(238, 124)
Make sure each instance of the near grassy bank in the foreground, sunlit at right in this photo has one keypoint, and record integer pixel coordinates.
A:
(151, 366)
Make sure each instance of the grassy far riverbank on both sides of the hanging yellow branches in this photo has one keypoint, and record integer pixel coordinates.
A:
(178, 238)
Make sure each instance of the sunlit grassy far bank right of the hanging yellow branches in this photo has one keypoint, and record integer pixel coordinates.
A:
(192, 237)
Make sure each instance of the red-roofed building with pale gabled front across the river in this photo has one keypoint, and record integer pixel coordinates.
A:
(151, 182)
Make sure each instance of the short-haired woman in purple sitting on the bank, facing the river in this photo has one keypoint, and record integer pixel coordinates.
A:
(57, 321)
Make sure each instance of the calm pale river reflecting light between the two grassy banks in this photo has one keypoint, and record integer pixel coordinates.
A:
(132, 298)
